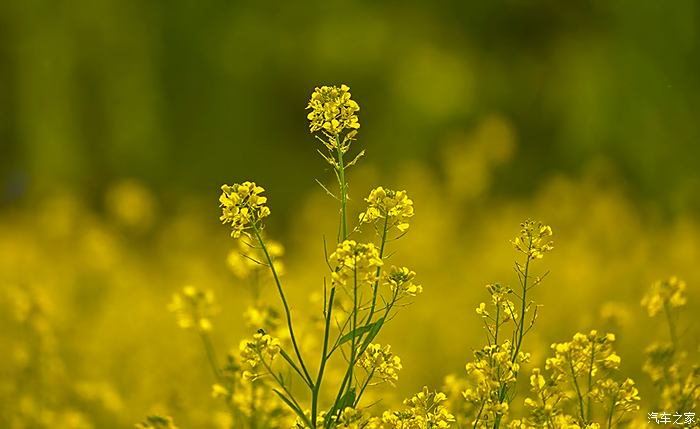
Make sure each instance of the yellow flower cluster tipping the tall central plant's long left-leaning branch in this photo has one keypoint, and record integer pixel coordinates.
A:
(242, 206)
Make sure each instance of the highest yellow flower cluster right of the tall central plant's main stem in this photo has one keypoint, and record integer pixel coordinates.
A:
(393, 207)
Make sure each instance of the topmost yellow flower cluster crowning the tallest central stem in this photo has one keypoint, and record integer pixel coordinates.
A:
(332, 110)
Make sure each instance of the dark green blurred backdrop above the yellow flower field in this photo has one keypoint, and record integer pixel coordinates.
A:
(186, 95)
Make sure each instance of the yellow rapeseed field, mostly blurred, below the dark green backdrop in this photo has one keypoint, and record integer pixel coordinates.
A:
(410, 297)
